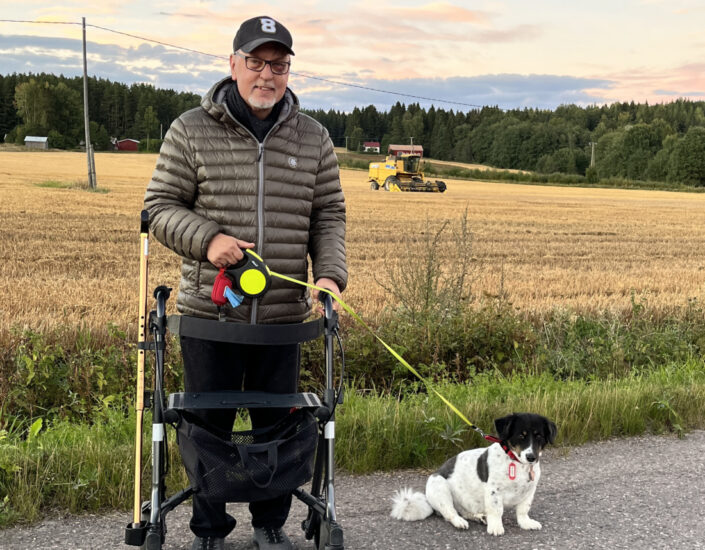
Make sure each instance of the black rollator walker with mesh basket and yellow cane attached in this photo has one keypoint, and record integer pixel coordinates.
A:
(238, 466)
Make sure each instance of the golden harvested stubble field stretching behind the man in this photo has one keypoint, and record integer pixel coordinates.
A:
(70, 257)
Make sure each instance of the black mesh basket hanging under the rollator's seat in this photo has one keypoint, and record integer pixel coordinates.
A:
(252, 465)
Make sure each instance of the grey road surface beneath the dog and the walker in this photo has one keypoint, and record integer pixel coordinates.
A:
(637, 493)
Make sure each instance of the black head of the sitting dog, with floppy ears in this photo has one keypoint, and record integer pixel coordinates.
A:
(526, 433)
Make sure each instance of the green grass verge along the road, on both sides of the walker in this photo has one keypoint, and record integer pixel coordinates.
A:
(81, 467)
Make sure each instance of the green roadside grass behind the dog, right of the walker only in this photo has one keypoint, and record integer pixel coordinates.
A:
(383, 433)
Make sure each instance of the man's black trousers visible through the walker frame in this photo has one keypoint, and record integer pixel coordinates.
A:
(218, 366)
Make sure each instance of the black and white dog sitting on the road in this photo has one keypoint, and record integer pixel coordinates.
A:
(480, 483)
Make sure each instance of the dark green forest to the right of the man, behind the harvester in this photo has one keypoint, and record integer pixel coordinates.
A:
(662, 142)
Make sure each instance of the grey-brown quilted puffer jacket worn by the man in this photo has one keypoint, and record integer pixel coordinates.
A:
(213, 176)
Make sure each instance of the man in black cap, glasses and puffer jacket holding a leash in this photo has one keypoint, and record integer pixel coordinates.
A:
(244, 170)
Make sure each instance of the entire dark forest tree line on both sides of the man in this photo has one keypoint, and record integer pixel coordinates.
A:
(661, 142)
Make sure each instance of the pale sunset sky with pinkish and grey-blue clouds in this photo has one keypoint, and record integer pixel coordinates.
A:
(458, 55)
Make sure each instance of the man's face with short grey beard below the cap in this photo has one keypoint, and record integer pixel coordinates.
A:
(261, 91)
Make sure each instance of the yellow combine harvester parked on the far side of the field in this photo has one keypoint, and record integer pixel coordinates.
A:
(401, 173)
